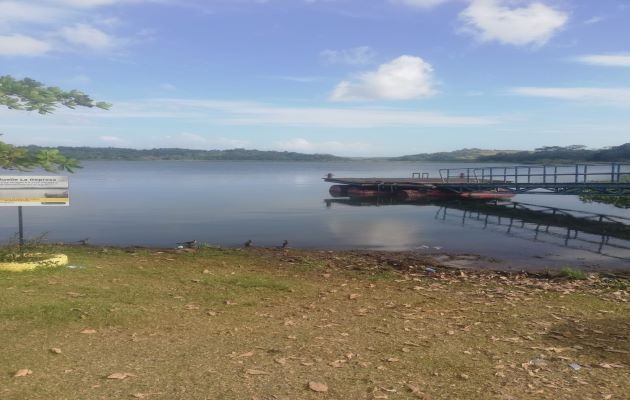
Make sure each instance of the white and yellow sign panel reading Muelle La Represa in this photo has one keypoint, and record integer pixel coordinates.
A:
(22, 190)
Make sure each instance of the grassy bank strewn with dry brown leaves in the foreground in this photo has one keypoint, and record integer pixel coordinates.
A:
(262, 324)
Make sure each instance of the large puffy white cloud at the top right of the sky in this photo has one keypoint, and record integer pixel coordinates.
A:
(495, 20)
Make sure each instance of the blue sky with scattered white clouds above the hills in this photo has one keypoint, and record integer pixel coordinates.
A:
(349, 77)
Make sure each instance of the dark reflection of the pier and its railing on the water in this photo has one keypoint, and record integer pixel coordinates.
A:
(603, 234)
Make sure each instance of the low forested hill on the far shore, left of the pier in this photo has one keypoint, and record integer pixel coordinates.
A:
(113, 153)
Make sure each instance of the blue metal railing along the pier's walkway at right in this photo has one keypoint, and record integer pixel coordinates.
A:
(538, 174)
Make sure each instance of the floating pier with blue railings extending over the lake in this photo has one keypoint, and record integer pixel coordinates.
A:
(596, 179)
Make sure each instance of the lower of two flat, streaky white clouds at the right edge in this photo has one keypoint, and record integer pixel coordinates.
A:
(619, 97)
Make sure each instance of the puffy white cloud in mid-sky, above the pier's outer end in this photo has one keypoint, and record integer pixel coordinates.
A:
(403, 78)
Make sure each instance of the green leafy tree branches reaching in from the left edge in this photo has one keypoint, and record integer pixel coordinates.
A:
(30, 95)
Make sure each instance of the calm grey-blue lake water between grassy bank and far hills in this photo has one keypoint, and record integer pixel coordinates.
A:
(160, 203)
